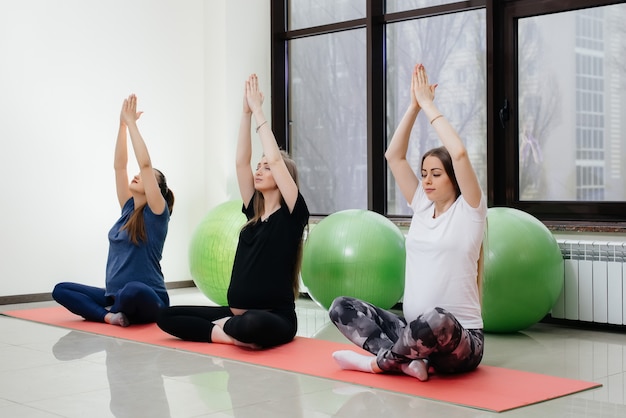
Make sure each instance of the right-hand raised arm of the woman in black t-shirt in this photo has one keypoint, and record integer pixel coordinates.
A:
(286, 184)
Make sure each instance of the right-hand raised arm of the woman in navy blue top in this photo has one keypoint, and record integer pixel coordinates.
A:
(129, 115)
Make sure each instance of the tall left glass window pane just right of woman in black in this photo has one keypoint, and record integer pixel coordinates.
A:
(328, 121)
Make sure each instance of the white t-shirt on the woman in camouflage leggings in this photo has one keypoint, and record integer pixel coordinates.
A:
(442, 259)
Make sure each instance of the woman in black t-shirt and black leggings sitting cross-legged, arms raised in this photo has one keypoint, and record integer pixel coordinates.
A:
(264, 281)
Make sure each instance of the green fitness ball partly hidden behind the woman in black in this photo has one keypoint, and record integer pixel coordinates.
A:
(212, 250)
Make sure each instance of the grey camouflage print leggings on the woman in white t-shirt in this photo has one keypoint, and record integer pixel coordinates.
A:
(435, 335)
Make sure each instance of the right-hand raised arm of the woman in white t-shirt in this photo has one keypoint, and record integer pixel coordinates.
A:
(465, 174)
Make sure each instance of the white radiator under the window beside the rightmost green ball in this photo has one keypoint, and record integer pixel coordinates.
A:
(594, 288)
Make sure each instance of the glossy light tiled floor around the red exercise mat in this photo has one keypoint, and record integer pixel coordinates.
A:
(53, 372)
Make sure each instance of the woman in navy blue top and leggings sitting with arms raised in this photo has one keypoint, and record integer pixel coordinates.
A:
(135, 287)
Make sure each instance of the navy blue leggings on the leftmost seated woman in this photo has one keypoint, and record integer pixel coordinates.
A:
(139, 302)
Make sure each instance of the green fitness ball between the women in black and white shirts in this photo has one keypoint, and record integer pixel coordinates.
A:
(356, 253)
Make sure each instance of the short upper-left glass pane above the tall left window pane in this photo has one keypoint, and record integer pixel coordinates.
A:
(307, 13)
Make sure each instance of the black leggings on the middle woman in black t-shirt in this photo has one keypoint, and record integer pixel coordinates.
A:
(262, 328)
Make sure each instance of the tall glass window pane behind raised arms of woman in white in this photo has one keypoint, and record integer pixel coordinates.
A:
(452, 48)
